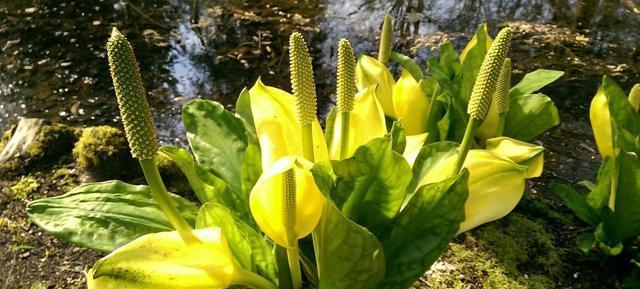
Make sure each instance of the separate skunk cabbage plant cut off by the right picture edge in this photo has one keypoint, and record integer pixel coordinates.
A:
(611, 206)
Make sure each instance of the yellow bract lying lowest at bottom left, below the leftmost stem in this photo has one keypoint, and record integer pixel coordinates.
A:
(186, 259)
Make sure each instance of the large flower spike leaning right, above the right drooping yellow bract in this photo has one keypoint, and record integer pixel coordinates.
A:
(485, 84)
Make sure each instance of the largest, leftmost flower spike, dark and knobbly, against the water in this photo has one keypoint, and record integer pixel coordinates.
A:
(134, 108)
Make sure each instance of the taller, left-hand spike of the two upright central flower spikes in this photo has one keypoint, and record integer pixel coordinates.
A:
(304, 88)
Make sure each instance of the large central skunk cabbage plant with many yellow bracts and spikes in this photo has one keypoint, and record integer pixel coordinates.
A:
(282, 204)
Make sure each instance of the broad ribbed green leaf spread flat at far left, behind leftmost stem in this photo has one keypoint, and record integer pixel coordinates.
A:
(104, 216)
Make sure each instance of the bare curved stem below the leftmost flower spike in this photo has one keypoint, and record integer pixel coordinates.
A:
(161, 195)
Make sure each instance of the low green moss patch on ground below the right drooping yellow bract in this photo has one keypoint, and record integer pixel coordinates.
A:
(515, 253)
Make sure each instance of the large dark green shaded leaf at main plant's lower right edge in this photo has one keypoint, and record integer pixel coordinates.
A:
(422, 231)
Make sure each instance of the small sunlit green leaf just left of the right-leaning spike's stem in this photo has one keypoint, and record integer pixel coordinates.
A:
(430, 160)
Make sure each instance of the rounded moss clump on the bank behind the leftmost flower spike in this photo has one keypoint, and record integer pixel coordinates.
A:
(102, 152)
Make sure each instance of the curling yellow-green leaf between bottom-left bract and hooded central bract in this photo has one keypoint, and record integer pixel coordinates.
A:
(250, 249)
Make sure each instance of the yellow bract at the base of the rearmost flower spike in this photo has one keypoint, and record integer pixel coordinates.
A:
(370, 71)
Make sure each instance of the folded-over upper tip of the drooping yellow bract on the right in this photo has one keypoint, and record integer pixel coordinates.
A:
(522, 153)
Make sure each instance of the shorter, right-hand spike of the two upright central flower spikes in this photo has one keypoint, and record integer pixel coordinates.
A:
(346, 87)
